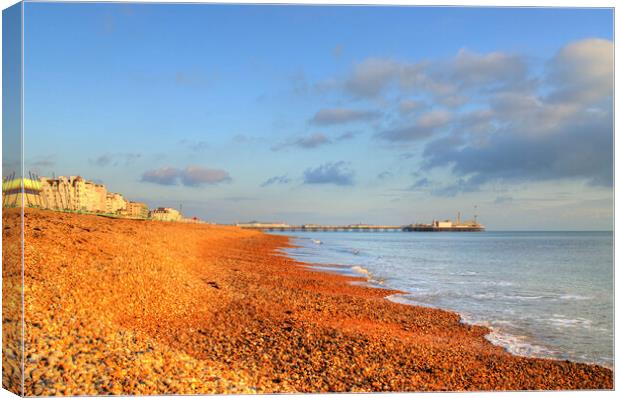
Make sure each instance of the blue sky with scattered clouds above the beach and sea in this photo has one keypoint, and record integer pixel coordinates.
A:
(327, 114)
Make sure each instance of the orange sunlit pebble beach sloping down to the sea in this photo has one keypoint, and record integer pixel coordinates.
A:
(140, 307)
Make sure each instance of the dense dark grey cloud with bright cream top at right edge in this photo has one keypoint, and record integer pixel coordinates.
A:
(525, 135)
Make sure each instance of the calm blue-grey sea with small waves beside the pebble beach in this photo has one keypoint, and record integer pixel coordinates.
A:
(543, 294)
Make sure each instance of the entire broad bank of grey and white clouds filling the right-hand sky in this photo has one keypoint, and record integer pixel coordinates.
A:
(493, 117)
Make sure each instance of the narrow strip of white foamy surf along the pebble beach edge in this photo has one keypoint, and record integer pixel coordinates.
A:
(394, 297)
